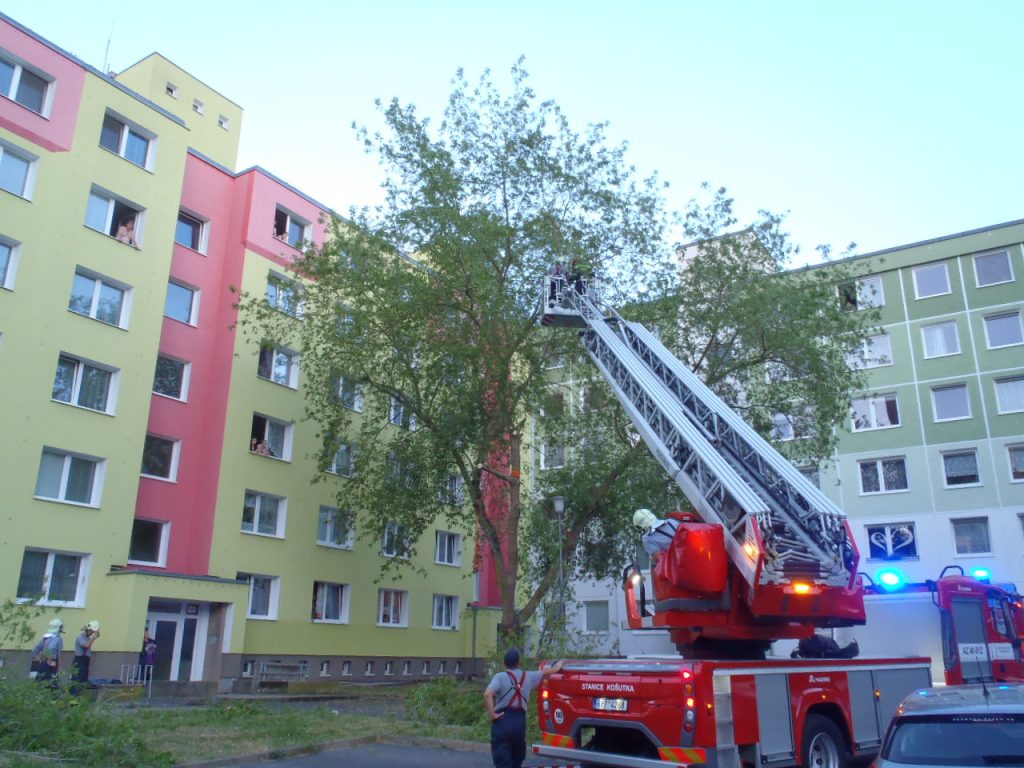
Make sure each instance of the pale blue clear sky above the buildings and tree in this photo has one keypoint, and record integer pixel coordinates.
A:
(870, 122)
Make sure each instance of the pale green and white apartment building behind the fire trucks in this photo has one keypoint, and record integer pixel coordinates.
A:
(930, 464)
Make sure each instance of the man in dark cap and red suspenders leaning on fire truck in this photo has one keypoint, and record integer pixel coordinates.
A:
(507, 696)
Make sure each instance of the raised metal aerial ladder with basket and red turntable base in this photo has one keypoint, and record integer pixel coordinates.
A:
(771, 558)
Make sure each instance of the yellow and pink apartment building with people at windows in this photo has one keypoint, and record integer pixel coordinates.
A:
(157, 473)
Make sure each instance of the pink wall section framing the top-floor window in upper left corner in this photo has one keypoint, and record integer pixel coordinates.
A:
(56, 132)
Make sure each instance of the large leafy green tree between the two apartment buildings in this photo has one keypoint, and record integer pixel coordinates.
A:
(425, 313)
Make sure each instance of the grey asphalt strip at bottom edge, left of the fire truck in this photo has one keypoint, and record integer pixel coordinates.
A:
(391, 756)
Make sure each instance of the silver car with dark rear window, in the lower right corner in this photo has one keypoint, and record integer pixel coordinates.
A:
(957, 726)
